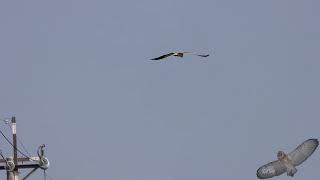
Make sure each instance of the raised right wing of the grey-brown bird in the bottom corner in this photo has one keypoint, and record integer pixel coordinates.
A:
(303, 151)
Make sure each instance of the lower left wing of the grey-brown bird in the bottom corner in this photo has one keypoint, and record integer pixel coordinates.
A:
(271, 169)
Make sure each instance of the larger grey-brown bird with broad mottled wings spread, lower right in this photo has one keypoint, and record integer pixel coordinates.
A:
(288, 162)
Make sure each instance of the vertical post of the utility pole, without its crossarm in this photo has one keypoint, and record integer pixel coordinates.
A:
(15, 152)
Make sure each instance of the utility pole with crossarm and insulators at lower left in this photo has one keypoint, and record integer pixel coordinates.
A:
(12, 165)
